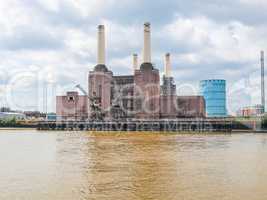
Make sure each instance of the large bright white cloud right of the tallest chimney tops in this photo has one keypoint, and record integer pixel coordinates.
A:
(208, 40)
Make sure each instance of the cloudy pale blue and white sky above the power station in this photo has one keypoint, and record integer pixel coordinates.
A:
(49, 46)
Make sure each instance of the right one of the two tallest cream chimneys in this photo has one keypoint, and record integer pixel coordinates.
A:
(147, 43)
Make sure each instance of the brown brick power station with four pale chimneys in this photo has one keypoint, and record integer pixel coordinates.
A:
(135, 96)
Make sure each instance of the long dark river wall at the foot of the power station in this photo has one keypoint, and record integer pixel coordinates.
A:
(179, 125)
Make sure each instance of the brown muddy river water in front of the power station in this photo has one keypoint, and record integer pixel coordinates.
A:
(73, 166)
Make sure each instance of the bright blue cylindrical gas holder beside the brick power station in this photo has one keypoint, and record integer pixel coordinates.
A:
(214, 92)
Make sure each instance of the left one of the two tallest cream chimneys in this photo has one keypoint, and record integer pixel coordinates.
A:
(101, 57)
